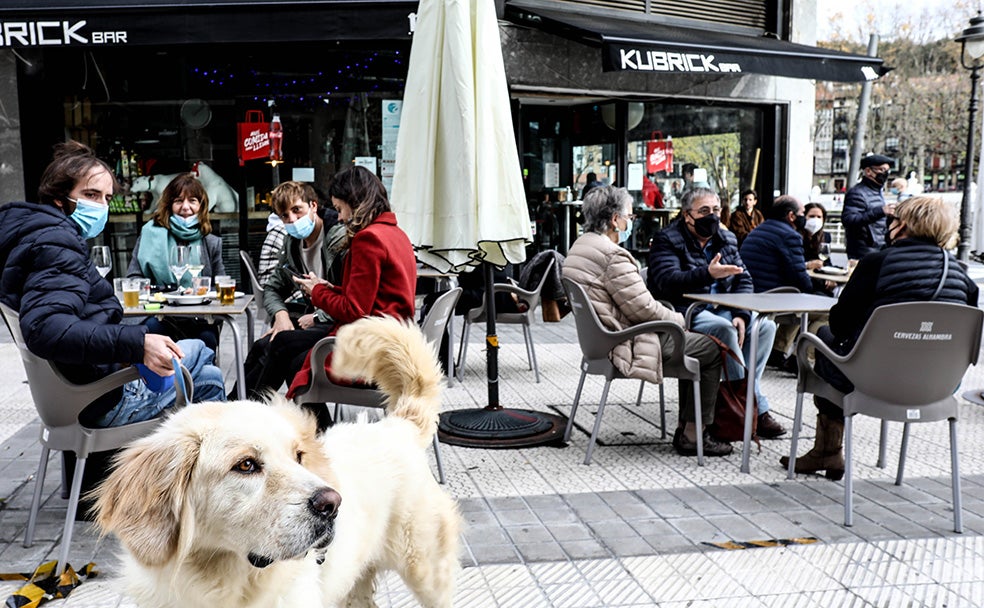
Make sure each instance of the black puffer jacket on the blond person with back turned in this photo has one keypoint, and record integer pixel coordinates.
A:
(907, 271)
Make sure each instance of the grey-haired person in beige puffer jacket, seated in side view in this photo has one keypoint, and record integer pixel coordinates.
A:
(618, 294)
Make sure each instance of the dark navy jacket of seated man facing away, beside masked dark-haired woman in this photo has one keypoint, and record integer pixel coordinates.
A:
(773, 254)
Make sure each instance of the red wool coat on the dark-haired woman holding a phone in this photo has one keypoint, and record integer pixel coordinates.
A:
(379, 279)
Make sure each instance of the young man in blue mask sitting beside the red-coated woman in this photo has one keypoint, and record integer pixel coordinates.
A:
(312, 246)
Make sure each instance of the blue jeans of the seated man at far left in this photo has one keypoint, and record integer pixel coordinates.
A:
(139, 403)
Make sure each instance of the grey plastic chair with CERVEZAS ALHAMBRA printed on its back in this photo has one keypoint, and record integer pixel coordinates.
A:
(905, 367)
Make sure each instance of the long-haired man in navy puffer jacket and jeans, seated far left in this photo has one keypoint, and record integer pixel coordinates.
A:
(69, 314)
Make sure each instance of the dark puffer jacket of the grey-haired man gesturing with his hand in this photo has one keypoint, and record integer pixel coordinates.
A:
(678, 265)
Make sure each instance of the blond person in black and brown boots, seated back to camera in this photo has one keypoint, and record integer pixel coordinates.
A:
(910, 269)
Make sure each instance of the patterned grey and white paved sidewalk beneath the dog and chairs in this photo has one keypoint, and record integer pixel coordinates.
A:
(630, 529)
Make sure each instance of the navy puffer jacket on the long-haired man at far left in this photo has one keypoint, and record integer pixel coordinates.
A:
(68, 313)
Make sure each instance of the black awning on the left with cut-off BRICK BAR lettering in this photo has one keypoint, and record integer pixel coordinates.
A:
(121, 23)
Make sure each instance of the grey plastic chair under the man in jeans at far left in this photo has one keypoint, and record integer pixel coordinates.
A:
(59, 403)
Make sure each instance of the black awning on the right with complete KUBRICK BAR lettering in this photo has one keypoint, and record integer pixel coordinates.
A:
(641, 46)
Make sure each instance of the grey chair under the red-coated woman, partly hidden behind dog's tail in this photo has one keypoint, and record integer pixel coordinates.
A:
(322, 389)
